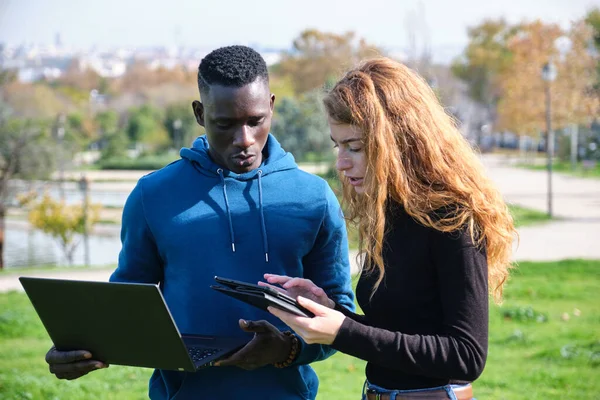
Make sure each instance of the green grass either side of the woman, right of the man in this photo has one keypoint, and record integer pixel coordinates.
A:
(538, 349)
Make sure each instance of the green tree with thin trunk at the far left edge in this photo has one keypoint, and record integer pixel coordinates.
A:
(26, 152)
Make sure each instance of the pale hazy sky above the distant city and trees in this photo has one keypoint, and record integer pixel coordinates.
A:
(441, 24)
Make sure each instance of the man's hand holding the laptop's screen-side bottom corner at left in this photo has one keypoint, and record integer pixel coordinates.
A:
(72, 364)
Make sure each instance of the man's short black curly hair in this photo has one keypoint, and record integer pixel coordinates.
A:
(233, 66)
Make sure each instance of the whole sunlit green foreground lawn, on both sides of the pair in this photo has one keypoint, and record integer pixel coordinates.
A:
(535, 351)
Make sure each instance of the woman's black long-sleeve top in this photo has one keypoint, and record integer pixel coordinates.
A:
(427, 323)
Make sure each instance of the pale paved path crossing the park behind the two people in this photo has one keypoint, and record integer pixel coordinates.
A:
(575, 233)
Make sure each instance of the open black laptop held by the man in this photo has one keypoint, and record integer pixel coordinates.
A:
(122, 324)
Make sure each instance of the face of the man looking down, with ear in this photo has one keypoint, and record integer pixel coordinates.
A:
(237, 123)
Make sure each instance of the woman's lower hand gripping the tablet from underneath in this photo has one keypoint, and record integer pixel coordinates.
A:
(322, 328)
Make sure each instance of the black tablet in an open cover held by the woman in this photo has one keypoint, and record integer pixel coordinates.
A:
(260, 296)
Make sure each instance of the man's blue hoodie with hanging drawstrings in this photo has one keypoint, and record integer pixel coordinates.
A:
(192, 220)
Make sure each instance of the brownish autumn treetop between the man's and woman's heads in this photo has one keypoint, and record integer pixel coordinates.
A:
(319, 56)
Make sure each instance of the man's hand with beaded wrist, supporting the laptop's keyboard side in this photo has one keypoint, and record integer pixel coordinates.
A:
(269, 346)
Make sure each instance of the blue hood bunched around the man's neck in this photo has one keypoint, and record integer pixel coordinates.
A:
(275, 158)
